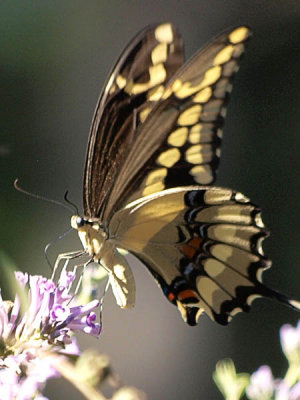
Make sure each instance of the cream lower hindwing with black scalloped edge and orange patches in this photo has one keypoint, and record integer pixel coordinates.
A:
(202, 245)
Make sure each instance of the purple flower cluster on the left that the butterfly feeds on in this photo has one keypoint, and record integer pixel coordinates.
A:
(39, 323)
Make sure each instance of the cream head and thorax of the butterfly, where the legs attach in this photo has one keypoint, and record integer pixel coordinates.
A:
(91, 233)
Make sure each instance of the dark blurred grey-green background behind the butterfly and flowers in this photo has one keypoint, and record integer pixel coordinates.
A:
(54, 58)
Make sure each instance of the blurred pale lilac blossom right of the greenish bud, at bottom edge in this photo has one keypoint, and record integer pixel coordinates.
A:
(262, 384)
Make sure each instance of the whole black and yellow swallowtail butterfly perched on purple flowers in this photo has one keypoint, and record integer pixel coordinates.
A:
(152, 158)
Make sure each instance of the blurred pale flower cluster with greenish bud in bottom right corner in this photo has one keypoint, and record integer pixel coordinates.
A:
(261, 385)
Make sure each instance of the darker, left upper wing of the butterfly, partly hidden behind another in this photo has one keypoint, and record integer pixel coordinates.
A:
(136, 82)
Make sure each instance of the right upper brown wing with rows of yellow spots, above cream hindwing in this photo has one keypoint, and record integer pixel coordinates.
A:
(179, 142)
